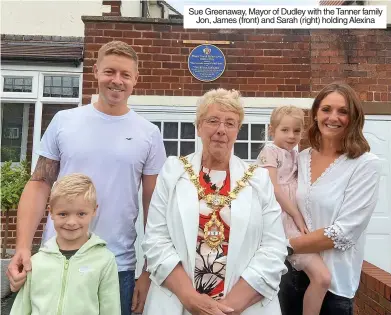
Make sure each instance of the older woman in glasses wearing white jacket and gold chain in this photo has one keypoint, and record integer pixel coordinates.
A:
(214, 240)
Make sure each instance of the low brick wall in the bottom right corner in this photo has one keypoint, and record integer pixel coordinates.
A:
(374, 294)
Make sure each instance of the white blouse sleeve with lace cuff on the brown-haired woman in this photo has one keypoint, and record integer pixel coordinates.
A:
(358, 205)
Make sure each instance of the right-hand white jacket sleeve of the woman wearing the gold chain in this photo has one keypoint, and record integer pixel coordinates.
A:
(267, 266)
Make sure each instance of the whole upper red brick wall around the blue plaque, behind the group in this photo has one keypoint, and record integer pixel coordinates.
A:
(260, 63)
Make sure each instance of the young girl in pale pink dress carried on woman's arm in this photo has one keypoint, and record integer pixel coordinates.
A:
(280, 158)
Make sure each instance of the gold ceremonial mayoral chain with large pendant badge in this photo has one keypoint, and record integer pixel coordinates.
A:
(214, 228)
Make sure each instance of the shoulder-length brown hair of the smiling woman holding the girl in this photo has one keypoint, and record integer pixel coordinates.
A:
(354, 143)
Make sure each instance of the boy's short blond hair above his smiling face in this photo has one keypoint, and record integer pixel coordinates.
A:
(72, 186)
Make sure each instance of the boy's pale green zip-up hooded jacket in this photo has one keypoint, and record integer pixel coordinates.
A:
(86, 284)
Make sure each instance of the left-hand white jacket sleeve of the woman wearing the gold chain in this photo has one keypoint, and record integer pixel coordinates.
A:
(157, 245)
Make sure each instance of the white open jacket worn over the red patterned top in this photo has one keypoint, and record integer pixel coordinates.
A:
(257, 247)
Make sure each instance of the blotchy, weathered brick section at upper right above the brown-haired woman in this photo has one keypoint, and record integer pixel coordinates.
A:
(360, 57)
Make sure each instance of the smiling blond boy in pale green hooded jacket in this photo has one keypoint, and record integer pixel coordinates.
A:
(73, 273)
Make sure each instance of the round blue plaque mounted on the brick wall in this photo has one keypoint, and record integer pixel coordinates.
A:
(206, 63)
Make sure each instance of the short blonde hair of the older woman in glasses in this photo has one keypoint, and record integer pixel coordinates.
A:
(229, 100)
